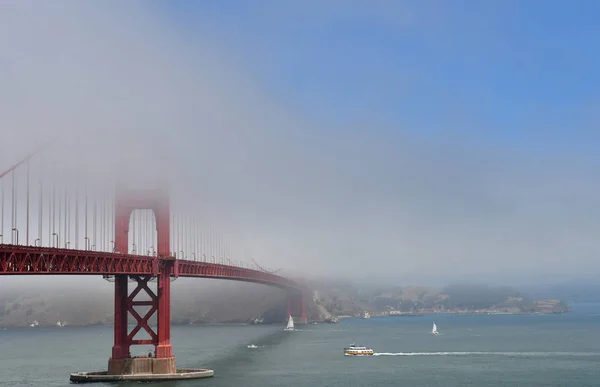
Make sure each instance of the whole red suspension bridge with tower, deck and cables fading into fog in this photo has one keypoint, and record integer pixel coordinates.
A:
(56, 220)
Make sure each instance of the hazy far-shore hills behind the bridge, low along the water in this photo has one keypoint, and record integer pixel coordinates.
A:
(210, 301)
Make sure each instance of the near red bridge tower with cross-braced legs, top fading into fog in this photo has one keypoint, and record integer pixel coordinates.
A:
(164, 361)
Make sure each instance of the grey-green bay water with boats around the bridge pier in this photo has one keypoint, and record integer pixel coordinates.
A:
(481, 351)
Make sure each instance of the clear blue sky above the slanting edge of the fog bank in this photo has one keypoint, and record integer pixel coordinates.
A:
(511, 73)
